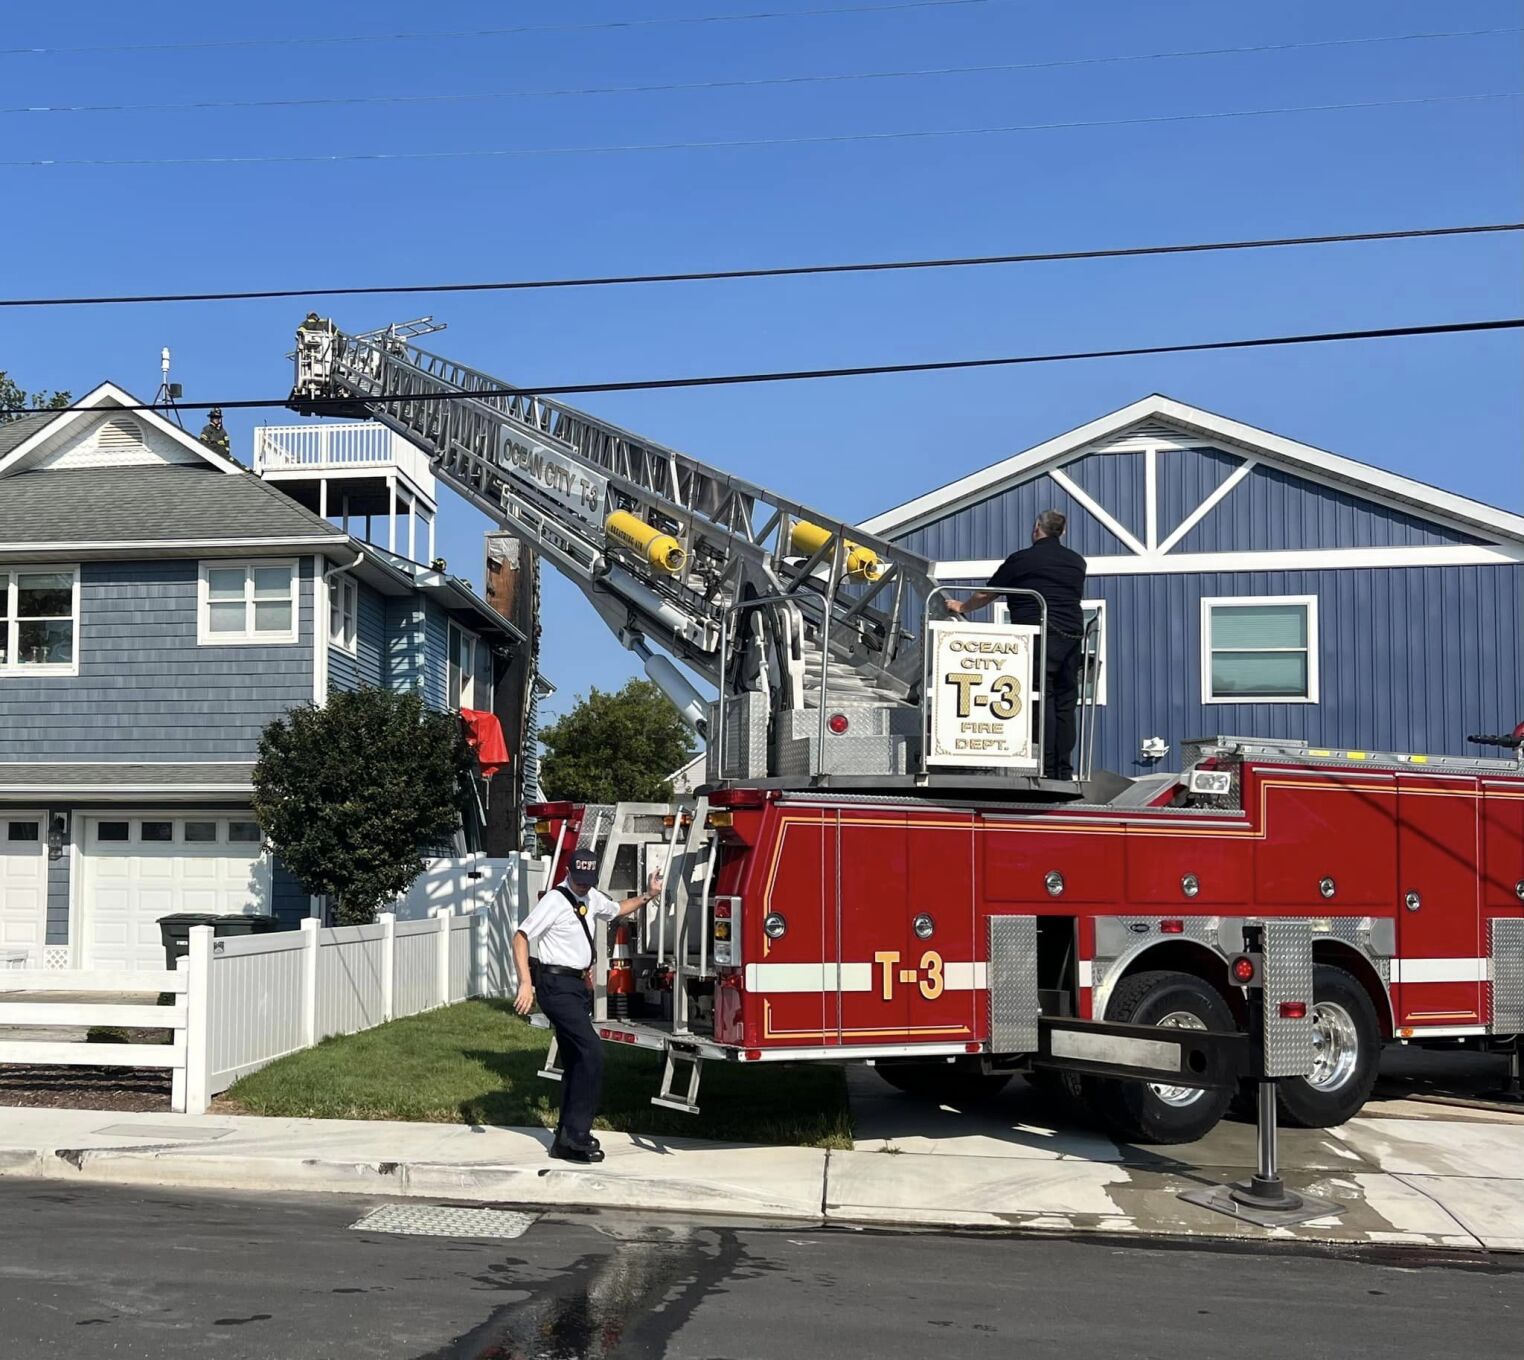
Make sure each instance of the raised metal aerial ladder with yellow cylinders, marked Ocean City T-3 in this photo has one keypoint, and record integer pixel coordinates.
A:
(807, 627)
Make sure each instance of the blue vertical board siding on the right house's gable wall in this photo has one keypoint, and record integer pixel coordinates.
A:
(1410, 656)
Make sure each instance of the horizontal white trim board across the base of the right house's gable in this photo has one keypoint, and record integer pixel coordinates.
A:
(1287, 560)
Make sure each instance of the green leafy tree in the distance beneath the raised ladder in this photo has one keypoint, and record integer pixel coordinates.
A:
(616, 748)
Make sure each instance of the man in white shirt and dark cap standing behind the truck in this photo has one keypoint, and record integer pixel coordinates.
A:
(560, 928)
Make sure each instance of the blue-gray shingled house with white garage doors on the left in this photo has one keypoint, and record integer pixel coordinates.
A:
(159, 606)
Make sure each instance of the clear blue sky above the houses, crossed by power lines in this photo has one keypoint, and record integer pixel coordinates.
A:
(1447, 411)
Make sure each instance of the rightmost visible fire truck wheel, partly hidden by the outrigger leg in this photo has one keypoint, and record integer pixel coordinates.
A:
(1346, 1054)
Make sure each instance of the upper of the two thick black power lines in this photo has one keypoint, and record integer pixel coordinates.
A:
(778, 272)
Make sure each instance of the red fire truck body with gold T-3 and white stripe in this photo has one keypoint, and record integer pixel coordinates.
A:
(866, 928)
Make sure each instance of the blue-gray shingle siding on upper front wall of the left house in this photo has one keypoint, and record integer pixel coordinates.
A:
(147, 690)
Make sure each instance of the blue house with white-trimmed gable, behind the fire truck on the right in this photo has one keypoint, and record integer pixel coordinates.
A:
(1255, 586)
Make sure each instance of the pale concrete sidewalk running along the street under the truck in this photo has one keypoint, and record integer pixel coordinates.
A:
(1424, 1184)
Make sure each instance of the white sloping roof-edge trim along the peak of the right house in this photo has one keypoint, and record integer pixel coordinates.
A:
(1331, 469)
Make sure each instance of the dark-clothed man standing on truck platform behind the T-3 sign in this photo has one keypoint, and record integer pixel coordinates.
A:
(1058, 576)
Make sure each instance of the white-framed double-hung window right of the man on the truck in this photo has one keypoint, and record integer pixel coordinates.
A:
(1260, 650)
